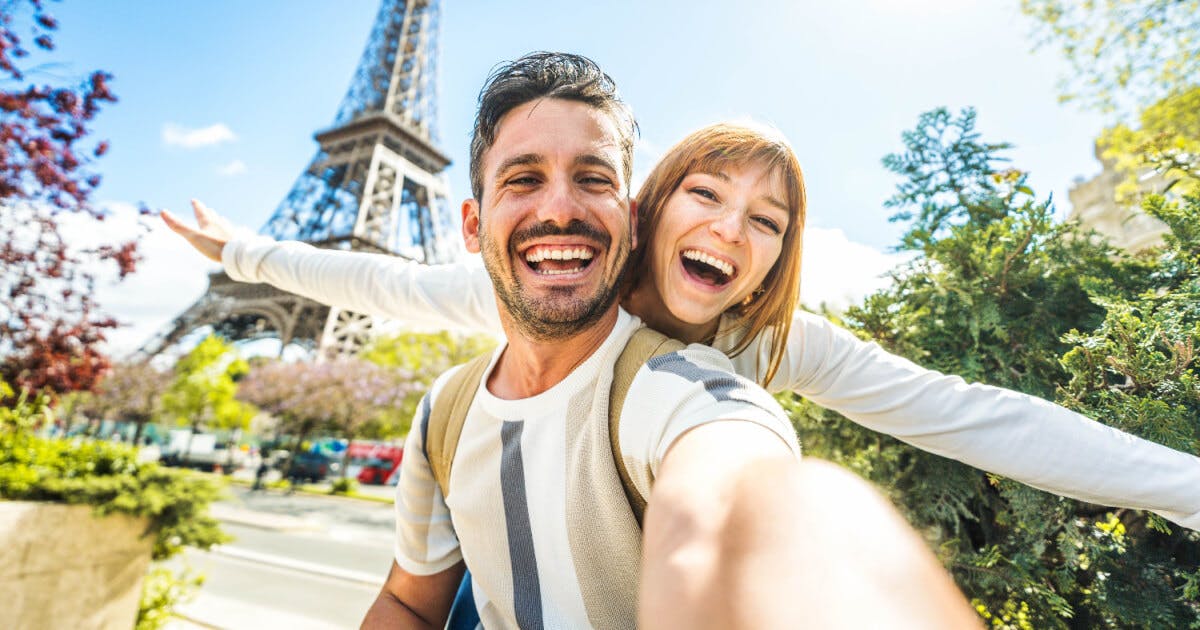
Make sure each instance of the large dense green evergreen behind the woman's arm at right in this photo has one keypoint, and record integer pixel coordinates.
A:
(999, 295)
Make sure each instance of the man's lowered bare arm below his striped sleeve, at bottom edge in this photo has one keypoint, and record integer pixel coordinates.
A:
(409, 601)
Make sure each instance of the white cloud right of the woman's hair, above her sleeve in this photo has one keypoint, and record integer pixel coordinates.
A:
(841, 273)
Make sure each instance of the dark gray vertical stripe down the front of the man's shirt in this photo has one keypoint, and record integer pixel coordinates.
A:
(526, 587)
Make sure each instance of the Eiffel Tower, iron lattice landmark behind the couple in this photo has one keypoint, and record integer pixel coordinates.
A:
(375, 185)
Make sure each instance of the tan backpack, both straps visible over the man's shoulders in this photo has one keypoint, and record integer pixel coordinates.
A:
(449, 411)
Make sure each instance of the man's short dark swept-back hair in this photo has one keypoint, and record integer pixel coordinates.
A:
(547, 76)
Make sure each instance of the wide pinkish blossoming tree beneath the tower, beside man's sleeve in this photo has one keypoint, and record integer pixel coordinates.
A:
(345, 397)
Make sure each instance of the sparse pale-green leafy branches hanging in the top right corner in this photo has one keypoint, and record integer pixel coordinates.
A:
(1124, 55)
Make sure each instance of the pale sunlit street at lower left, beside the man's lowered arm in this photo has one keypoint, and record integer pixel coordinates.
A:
(298, 562)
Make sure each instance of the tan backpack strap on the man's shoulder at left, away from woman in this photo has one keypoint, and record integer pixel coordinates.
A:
(448, 416)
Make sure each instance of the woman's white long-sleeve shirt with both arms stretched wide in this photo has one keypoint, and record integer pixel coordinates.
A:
(1001, 431)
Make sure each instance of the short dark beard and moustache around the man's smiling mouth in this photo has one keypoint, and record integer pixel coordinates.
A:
(550, 319)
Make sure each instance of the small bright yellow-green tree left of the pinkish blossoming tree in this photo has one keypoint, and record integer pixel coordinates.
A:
(202, 395)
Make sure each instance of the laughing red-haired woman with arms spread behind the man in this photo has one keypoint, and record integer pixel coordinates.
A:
(718, 263)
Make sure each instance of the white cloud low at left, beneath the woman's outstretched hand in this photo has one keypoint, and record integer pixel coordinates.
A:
(170, 278)
